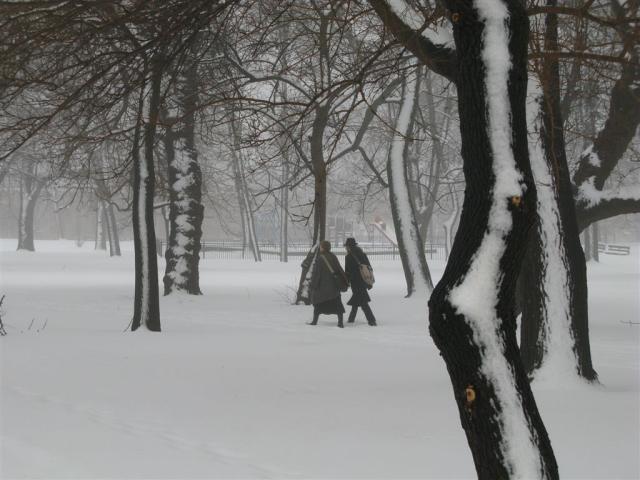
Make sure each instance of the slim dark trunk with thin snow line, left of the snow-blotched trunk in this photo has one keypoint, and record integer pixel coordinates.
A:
(146, 309)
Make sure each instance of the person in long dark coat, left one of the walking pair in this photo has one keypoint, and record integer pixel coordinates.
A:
(325, 285)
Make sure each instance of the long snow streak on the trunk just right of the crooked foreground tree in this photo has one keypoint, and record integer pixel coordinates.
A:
(559, 360)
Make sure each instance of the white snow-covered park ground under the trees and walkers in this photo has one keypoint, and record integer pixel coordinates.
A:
(238, 386)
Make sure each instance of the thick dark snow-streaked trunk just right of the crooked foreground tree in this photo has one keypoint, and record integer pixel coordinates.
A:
(555, 328)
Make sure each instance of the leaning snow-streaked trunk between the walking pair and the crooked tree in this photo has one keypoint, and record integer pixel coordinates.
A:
(410, 243)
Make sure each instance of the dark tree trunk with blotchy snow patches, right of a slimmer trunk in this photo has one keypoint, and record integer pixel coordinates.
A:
(184, 176)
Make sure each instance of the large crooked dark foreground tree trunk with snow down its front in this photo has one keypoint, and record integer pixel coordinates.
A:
(472, 318)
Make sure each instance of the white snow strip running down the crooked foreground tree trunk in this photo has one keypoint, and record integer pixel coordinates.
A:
(476, 297)
